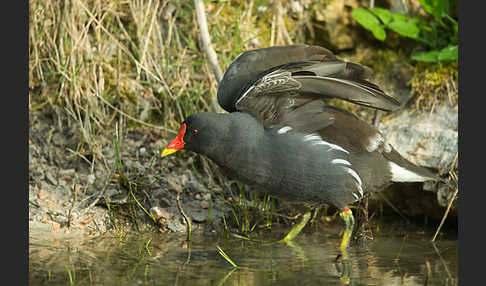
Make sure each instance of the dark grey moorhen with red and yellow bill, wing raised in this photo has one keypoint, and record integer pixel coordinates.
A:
(280, 134)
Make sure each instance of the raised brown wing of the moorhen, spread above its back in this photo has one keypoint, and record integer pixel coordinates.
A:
(285, 85)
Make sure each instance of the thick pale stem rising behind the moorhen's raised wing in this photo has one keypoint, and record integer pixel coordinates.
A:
(206, 39)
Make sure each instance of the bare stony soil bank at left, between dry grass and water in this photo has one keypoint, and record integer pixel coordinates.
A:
(69, 195)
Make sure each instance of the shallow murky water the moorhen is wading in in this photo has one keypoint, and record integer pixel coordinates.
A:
(408, 258)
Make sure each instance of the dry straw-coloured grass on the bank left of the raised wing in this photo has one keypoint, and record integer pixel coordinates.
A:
(99, 61)
